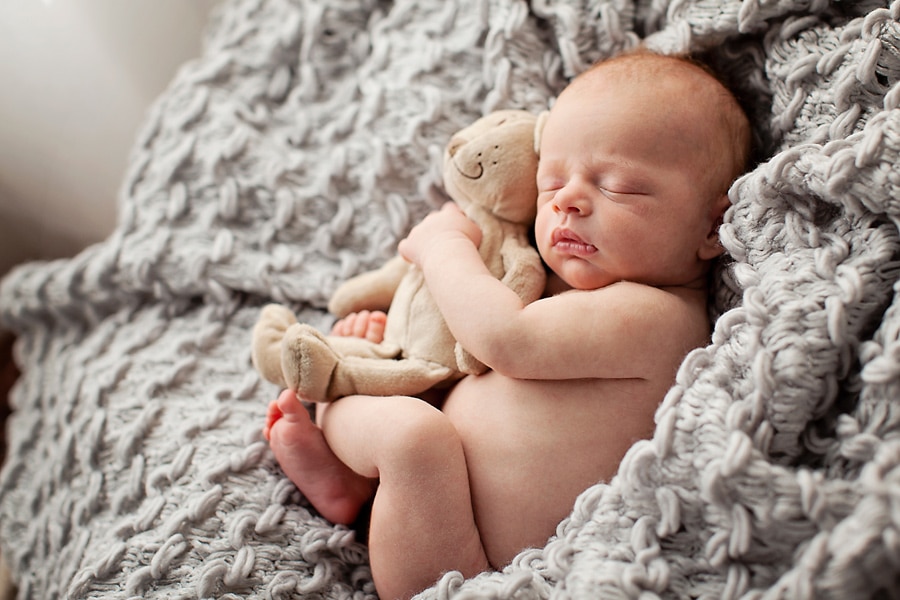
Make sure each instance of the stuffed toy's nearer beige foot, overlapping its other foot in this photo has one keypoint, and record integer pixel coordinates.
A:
(308, 362)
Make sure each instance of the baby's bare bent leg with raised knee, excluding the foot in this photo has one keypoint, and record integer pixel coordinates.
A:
(422, 521)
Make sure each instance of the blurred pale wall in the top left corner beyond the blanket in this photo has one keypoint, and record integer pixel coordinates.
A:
(76, 79)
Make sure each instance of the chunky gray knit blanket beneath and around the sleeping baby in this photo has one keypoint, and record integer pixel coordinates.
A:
(302, 146)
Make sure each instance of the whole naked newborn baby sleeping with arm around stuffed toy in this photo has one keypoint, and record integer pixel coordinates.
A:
(636, 158)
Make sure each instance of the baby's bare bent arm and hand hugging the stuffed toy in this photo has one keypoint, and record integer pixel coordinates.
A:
(621, 331)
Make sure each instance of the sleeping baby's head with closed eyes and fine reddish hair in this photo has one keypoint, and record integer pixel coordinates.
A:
(636, 158)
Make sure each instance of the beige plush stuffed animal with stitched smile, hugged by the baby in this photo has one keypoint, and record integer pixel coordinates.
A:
(489, 170)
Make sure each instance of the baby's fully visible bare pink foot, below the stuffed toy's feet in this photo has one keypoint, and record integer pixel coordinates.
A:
(332, 487)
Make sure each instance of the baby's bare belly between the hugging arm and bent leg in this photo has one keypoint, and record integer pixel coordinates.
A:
(532, 447)
